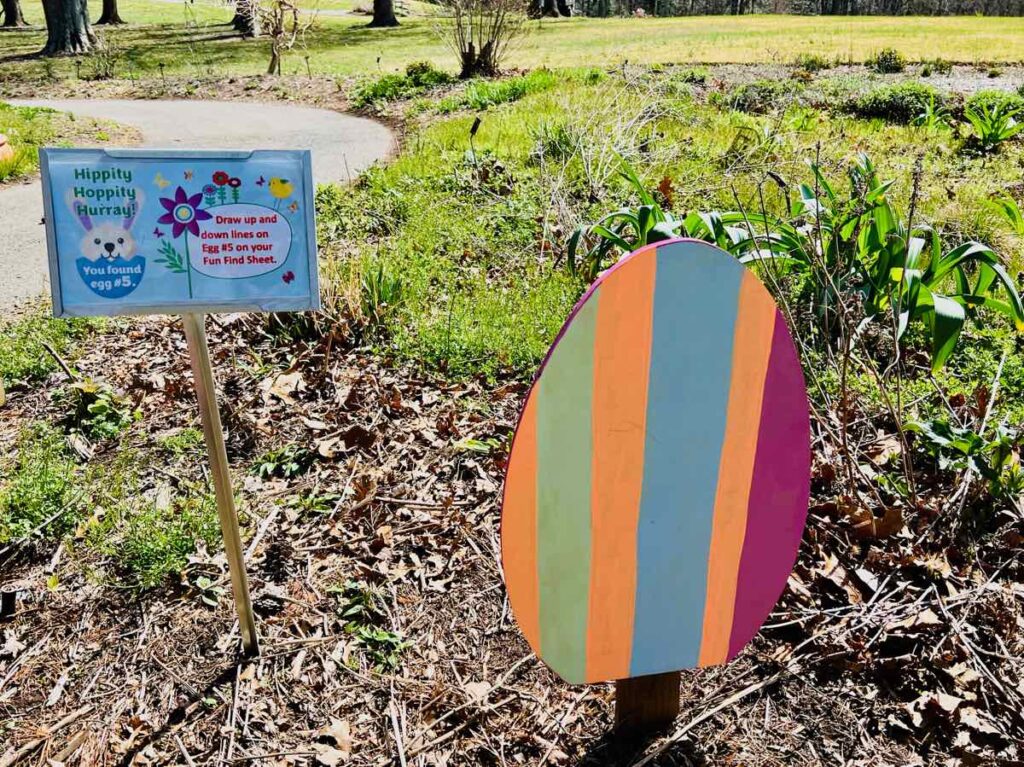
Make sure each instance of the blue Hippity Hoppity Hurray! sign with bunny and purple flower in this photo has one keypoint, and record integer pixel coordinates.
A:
(139, 232)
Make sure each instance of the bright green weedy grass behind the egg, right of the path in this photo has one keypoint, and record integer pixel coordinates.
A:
(471, 237)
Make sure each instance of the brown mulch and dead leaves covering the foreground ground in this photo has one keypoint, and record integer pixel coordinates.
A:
(893, 646)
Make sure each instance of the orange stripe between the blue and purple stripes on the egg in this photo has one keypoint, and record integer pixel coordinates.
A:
(752, 347)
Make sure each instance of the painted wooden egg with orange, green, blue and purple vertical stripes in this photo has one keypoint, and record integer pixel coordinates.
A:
(657, 491)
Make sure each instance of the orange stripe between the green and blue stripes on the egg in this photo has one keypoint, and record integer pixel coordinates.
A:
(622, 363)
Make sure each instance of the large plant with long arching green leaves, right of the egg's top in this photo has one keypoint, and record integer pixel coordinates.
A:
(862, 244)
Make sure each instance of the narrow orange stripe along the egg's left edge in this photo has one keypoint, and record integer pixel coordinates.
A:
(520, 527)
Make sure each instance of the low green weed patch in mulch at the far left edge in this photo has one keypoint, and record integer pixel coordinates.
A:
(38, 491)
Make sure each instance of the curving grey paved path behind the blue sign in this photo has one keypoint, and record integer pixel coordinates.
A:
(343, 146)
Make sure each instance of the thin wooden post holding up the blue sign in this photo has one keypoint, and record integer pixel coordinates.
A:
(206, 392)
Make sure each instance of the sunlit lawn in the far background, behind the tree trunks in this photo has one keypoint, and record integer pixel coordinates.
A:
(197, 39)
